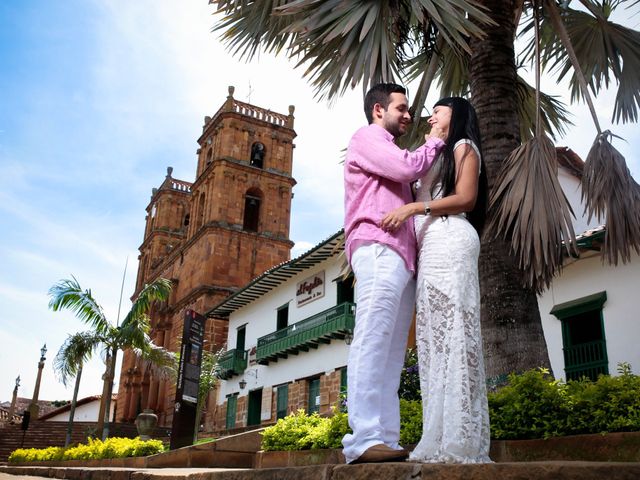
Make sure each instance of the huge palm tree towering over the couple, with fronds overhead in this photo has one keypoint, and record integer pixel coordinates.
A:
(469, 47)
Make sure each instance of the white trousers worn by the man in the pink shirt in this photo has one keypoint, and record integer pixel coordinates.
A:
(385, 299)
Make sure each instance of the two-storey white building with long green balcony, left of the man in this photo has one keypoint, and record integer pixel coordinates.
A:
(287, 339)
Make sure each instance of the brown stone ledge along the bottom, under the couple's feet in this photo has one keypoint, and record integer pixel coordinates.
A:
(385, 471)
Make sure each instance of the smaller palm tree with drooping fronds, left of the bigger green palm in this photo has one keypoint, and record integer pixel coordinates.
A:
(68, 363)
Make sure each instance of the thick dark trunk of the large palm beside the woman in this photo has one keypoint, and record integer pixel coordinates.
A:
(511, 327)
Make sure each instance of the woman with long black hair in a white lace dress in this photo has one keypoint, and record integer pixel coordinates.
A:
(449, 216)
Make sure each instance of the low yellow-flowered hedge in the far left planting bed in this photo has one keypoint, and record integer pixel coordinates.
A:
(113, 447)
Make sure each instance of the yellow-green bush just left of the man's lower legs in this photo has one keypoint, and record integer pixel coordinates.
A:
(300, 431)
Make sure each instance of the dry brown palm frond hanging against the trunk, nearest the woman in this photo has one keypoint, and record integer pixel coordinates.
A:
(530, 207)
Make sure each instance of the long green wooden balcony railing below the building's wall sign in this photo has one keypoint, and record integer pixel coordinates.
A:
(336, 322)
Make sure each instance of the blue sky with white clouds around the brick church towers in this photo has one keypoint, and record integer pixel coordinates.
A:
(97, 98)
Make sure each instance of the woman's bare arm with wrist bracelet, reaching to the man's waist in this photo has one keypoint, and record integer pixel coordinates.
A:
(461, 200)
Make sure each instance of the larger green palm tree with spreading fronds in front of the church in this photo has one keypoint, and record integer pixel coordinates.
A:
(132, 333)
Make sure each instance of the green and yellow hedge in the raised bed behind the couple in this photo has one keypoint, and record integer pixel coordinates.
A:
(531, 405)
